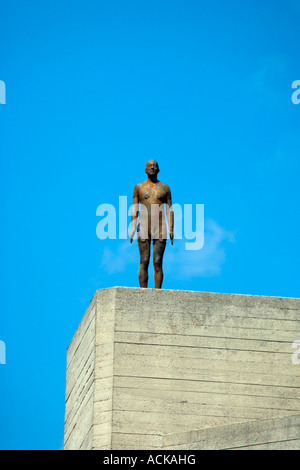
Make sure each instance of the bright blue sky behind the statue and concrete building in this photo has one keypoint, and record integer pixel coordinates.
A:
(93, 90)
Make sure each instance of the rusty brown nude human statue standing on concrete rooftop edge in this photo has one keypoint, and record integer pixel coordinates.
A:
(151, 197)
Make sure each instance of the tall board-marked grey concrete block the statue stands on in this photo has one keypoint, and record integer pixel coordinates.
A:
(171, 361)
